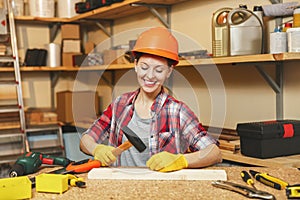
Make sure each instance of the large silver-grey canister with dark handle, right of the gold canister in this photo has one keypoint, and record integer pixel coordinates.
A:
(245, 32)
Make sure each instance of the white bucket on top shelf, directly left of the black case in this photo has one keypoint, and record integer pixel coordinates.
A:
(66, 8)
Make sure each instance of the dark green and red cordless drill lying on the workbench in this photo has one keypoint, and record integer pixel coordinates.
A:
(30, 162)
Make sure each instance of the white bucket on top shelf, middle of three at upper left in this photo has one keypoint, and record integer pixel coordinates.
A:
(42, 8)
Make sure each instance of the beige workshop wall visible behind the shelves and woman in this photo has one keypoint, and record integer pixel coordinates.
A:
(247, 96)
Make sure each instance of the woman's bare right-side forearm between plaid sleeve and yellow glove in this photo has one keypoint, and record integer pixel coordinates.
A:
(205, 157)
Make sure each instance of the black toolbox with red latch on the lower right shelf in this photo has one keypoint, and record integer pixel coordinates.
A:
(267, 139)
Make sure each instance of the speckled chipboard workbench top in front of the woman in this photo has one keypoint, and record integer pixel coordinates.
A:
(137, 189)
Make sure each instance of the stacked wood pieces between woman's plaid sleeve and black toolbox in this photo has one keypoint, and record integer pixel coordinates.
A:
(228, 138)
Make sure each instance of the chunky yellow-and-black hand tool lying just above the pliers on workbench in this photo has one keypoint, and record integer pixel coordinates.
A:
(269, 180)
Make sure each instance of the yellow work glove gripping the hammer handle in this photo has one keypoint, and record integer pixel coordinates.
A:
(104, 154)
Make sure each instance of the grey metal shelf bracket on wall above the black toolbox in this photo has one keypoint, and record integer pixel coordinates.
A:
(276, 85)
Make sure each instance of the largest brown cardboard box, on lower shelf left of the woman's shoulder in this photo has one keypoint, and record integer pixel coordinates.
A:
(81, 106)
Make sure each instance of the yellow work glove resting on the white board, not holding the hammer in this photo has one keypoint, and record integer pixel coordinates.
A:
(167, 162)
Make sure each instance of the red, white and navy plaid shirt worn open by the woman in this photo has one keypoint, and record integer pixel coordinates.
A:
(174, 127)
